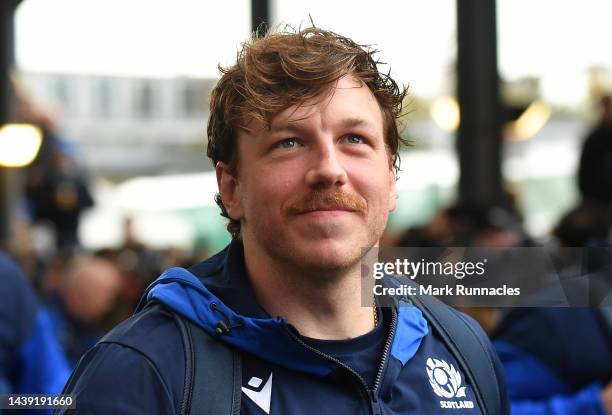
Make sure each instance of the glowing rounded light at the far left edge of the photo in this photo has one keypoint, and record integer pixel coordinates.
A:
(19, 144)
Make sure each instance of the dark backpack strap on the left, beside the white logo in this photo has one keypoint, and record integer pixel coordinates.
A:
(213, 373)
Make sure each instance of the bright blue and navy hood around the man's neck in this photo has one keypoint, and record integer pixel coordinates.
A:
(217, 296)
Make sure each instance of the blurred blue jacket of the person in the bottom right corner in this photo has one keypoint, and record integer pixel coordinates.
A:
(557, 360)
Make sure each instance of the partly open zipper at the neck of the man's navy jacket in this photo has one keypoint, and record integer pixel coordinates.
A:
(369, 394)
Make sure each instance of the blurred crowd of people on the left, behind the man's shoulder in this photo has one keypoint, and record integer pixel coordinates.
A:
(57, 299)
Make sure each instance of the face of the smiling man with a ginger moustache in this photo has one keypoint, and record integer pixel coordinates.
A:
(318, 185)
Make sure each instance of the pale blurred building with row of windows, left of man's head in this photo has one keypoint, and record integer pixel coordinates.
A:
(125, 126)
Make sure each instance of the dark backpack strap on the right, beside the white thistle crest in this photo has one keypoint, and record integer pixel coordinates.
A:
(470, 350)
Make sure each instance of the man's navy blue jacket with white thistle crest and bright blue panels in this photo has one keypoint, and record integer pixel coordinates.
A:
(143, 371)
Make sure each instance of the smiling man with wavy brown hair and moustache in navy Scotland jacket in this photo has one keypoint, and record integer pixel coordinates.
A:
(303, 135)
